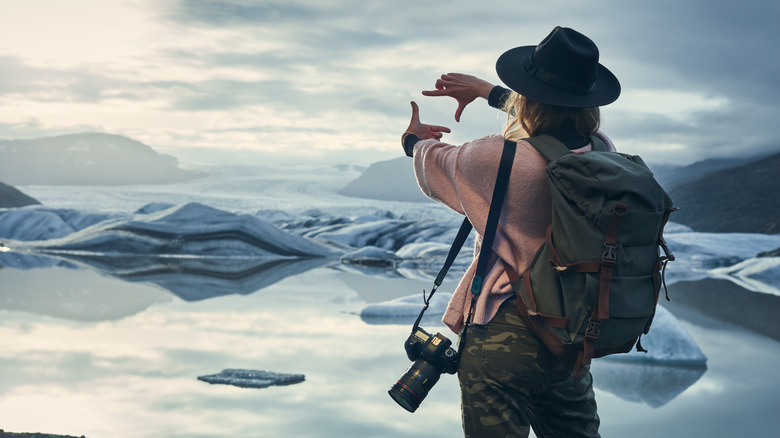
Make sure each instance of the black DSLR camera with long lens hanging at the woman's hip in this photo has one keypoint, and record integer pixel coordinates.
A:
(431, 356)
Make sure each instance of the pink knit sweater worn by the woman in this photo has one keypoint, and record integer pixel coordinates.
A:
(462, 178)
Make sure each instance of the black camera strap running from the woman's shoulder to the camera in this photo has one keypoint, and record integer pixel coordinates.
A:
(496, 204)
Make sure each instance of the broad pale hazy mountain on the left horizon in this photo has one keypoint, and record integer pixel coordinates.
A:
(89, 158)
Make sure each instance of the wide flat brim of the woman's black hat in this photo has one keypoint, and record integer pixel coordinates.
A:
(511, 71)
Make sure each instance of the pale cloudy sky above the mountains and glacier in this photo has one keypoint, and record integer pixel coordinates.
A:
(313, 80)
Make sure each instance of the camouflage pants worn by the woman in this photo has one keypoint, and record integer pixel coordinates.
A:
(510, 382)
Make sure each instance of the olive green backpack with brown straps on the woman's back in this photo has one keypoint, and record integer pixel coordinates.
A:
(593, 287)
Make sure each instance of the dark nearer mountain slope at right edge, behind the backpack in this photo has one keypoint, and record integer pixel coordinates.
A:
(741, 199)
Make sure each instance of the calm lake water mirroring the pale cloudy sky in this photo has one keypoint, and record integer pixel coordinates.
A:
(86, 354)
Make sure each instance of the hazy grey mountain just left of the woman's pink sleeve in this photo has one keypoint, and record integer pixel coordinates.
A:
(391, 180)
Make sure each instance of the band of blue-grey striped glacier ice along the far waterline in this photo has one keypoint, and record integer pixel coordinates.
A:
(191, 233)
